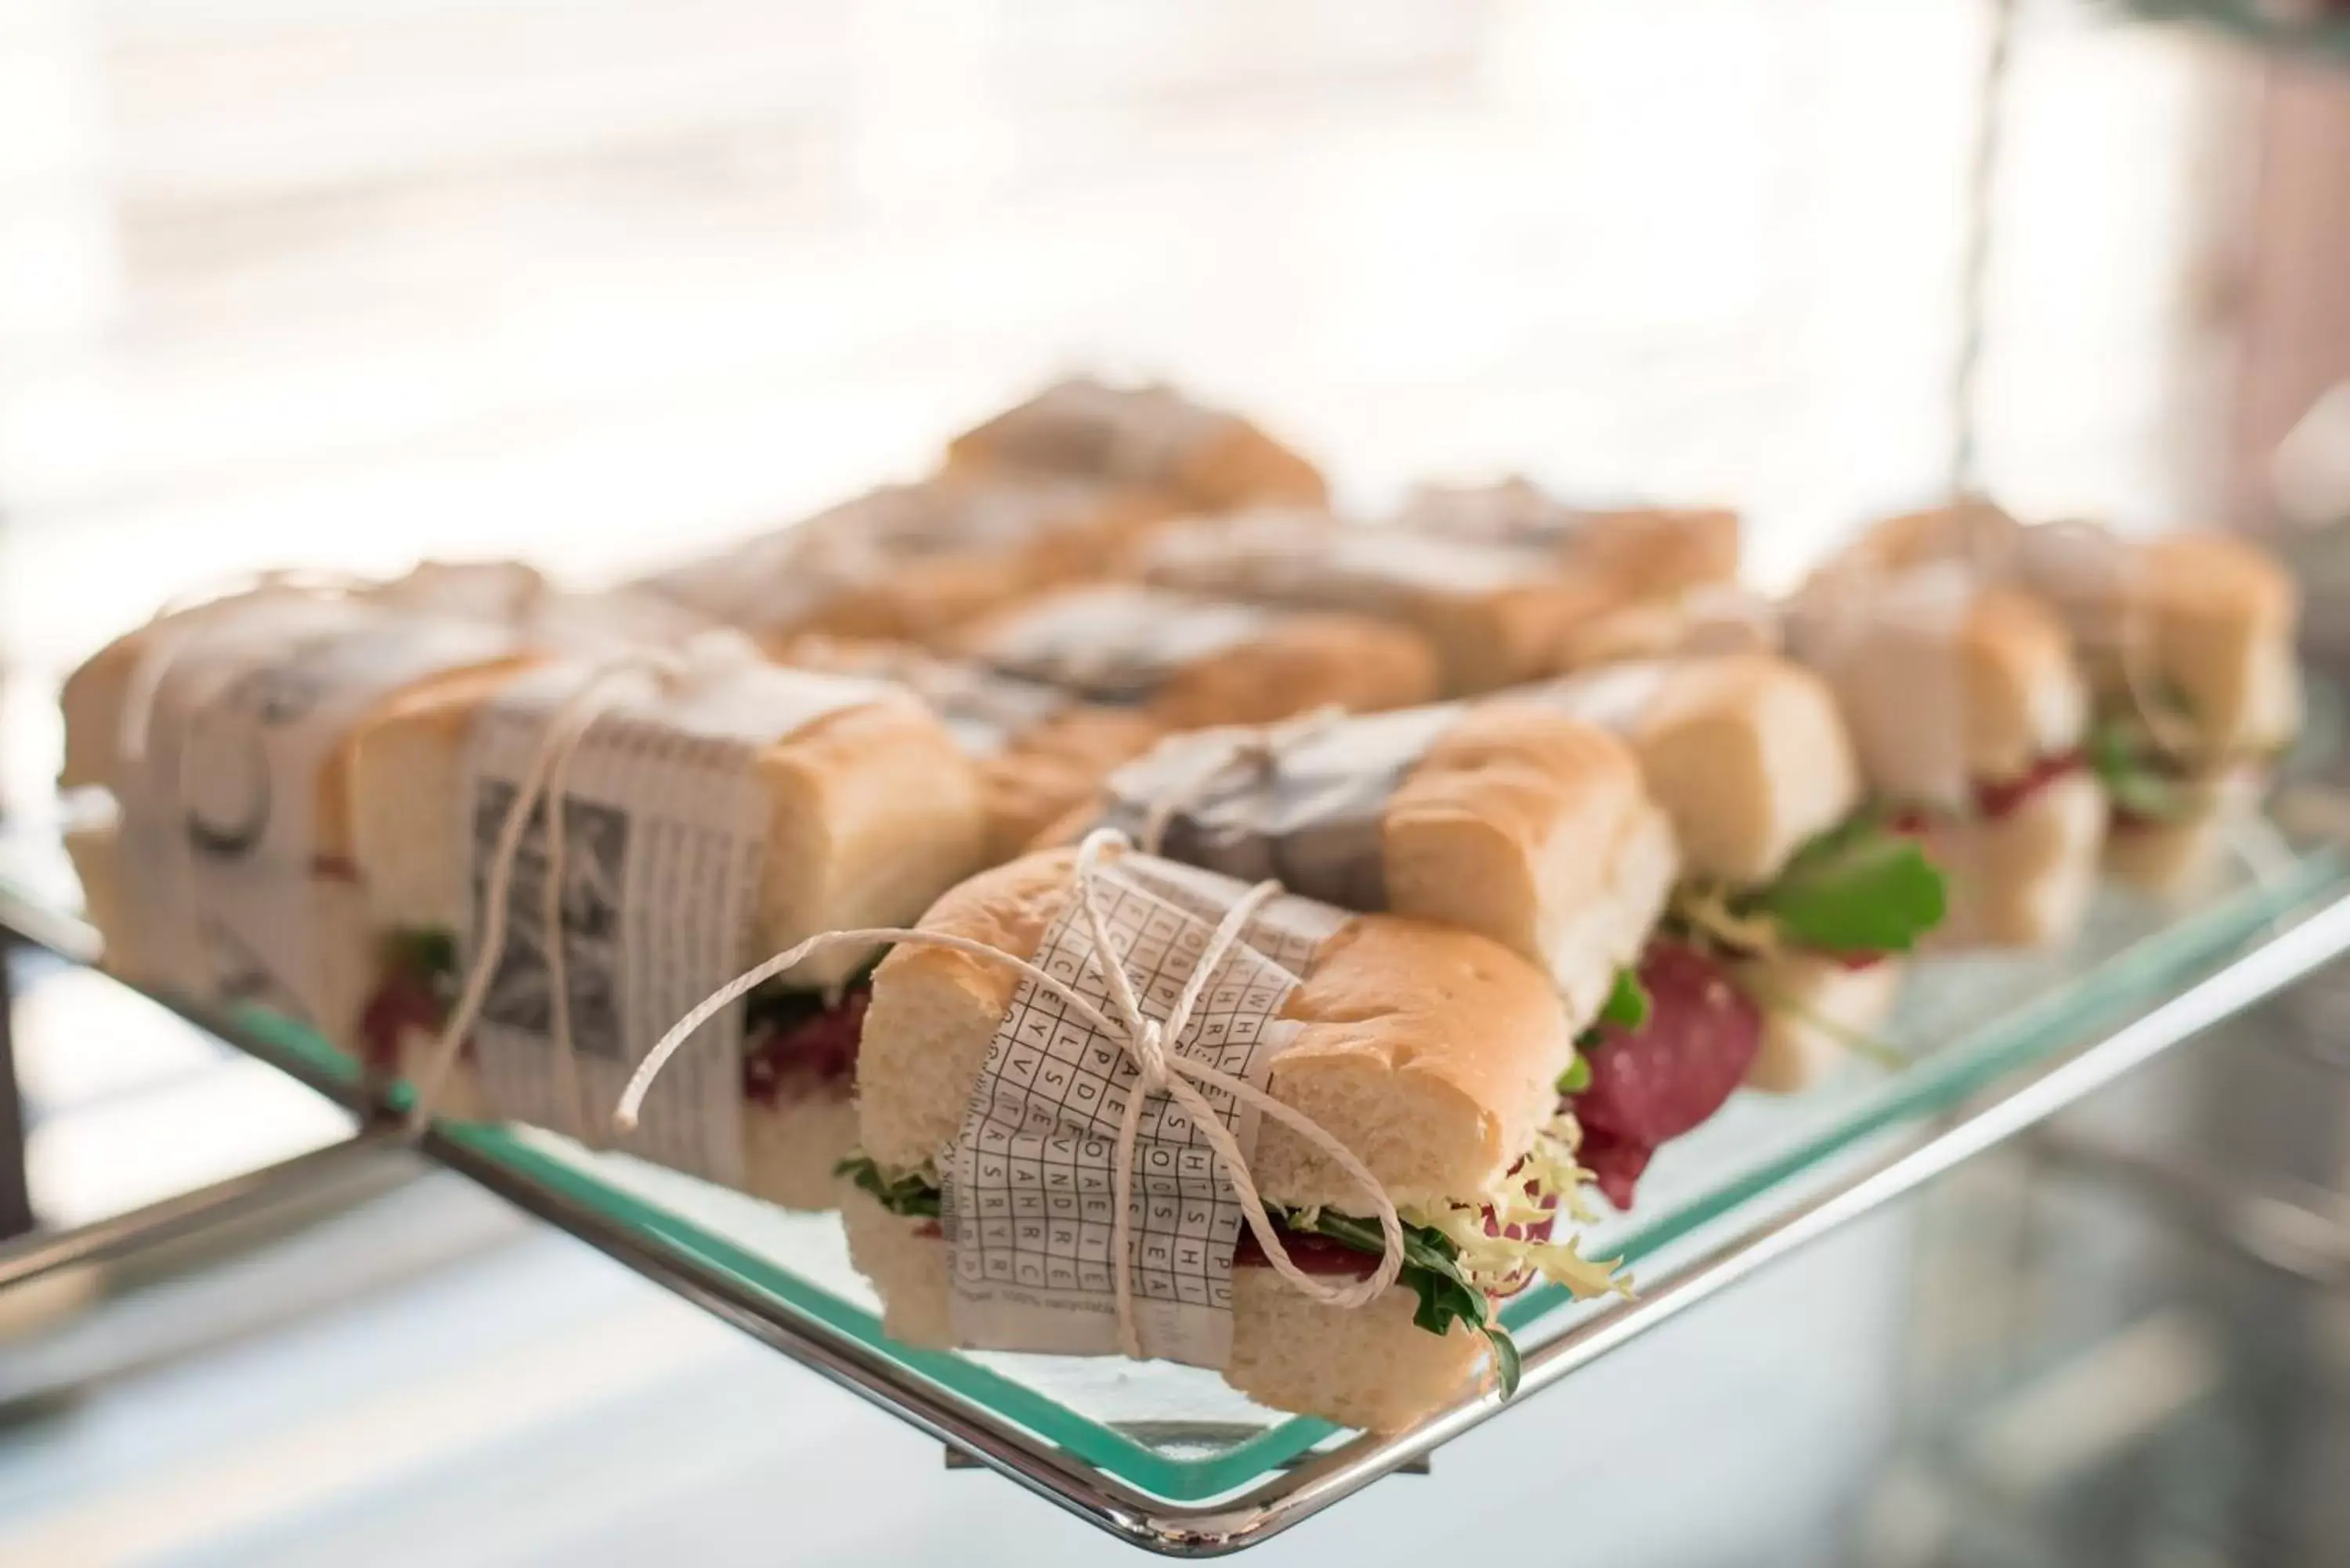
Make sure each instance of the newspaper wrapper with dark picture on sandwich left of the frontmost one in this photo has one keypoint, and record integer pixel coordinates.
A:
(666, 826)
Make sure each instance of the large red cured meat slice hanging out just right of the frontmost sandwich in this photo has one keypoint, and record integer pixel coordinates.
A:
(1677, 1071)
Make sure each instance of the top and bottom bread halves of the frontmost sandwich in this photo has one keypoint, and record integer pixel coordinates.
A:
(1428, 1052)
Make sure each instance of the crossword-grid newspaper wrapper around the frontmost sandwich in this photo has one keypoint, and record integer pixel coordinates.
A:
(1028, 1186)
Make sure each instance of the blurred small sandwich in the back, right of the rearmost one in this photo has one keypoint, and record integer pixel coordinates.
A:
(1646, 551)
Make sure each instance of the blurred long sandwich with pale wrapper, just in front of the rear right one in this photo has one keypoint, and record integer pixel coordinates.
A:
(1493, 612)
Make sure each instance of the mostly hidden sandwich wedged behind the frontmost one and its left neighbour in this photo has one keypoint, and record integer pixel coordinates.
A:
(1040, 751)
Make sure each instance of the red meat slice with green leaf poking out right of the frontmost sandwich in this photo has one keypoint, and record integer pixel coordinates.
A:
(1674, 1045)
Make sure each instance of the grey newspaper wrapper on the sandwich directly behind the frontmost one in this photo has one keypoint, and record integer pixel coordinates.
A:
(1305, 812)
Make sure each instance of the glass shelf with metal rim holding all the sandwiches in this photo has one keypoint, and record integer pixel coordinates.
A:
(1171, 1456)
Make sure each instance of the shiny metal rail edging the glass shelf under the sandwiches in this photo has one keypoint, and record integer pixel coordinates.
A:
(1329, 1477)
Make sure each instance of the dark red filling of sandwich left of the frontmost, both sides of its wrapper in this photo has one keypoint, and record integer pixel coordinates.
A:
(798, 1045)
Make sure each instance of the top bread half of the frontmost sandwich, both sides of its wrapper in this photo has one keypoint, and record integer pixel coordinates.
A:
(1428, 1052)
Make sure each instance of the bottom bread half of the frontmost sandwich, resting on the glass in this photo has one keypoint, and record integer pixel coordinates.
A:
(1367, 1367)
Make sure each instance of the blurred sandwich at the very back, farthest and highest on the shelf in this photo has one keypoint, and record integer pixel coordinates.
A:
(1148, 438)
